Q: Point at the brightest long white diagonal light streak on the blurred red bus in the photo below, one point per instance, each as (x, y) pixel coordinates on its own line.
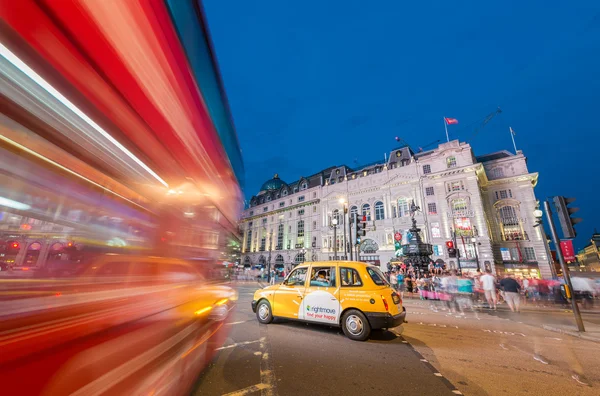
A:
(18, 63)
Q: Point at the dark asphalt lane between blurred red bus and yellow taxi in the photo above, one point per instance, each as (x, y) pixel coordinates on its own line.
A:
(293, 358)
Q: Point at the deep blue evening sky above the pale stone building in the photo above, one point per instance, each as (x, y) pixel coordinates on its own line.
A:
(319, 83)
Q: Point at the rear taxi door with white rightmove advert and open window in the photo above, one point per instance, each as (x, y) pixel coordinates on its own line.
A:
(321, 301)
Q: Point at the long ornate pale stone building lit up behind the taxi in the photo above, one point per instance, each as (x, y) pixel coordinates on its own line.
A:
(484, 204)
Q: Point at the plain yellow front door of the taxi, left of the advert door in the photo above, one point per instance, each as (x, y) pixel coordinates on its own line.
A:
(287, 300)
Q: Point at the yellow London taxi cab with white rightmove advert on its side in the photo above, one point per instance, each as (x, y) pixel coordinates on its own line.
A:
(353, 295)
